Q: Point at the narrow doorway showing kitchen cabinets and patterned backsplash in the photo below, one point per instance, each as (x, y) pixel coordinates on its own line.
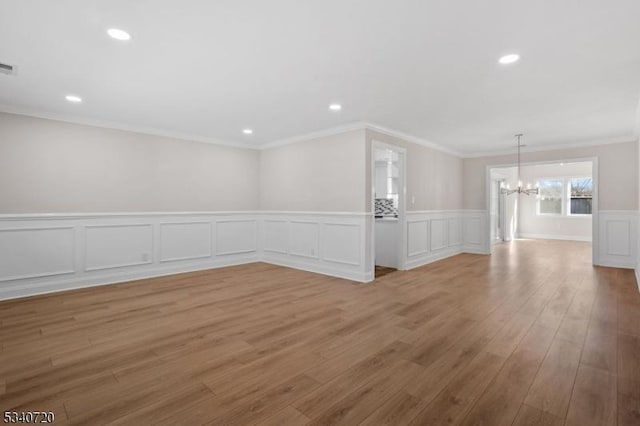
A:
(388, 207)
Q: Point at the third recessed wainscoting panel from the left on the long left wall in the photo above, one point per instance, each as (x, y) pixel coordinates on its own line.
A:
(185, 241)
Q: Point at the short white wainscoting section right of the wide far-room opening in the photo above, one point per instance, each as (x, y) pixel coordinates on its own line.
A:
(617, 239)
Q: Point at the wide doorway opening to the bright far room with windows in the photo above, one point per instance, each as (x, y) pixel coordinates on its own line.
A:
(565, 207)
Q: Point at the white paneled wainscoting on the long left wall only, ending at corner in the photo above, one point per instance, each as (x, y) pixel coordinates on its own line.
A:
(47, 253)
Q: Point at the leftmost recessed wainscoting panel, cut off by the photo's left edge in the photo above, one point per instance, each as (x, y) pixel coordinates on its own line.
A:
(36, 252)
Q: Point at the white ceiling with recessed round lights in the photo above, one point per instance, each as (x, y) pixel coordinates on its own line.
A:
(427, 68)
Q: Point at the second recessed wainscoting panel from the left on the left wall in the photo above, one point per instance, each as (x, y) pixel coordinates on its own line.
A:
(116, 246)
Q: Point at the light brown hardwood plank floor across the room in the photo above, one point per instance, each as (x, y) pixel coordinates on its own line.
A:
(530, 335)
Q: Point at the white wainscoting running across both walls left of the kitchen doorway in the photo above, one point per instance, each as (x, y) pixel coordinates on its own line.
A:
(53, 252)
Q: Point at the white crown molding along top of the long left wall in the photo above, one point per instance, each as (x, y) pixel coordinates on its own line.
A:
(68, 118)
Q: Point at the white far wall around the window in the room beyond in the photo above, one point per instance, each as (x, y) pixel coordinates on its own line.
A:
(563, 227)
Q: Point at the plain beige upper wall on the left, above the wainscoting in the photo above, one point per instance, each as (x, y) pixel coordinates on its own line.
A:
(50, 166)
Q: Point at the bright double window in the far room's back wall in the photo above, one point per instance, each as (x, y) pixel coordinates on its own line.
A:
(570, 196)
